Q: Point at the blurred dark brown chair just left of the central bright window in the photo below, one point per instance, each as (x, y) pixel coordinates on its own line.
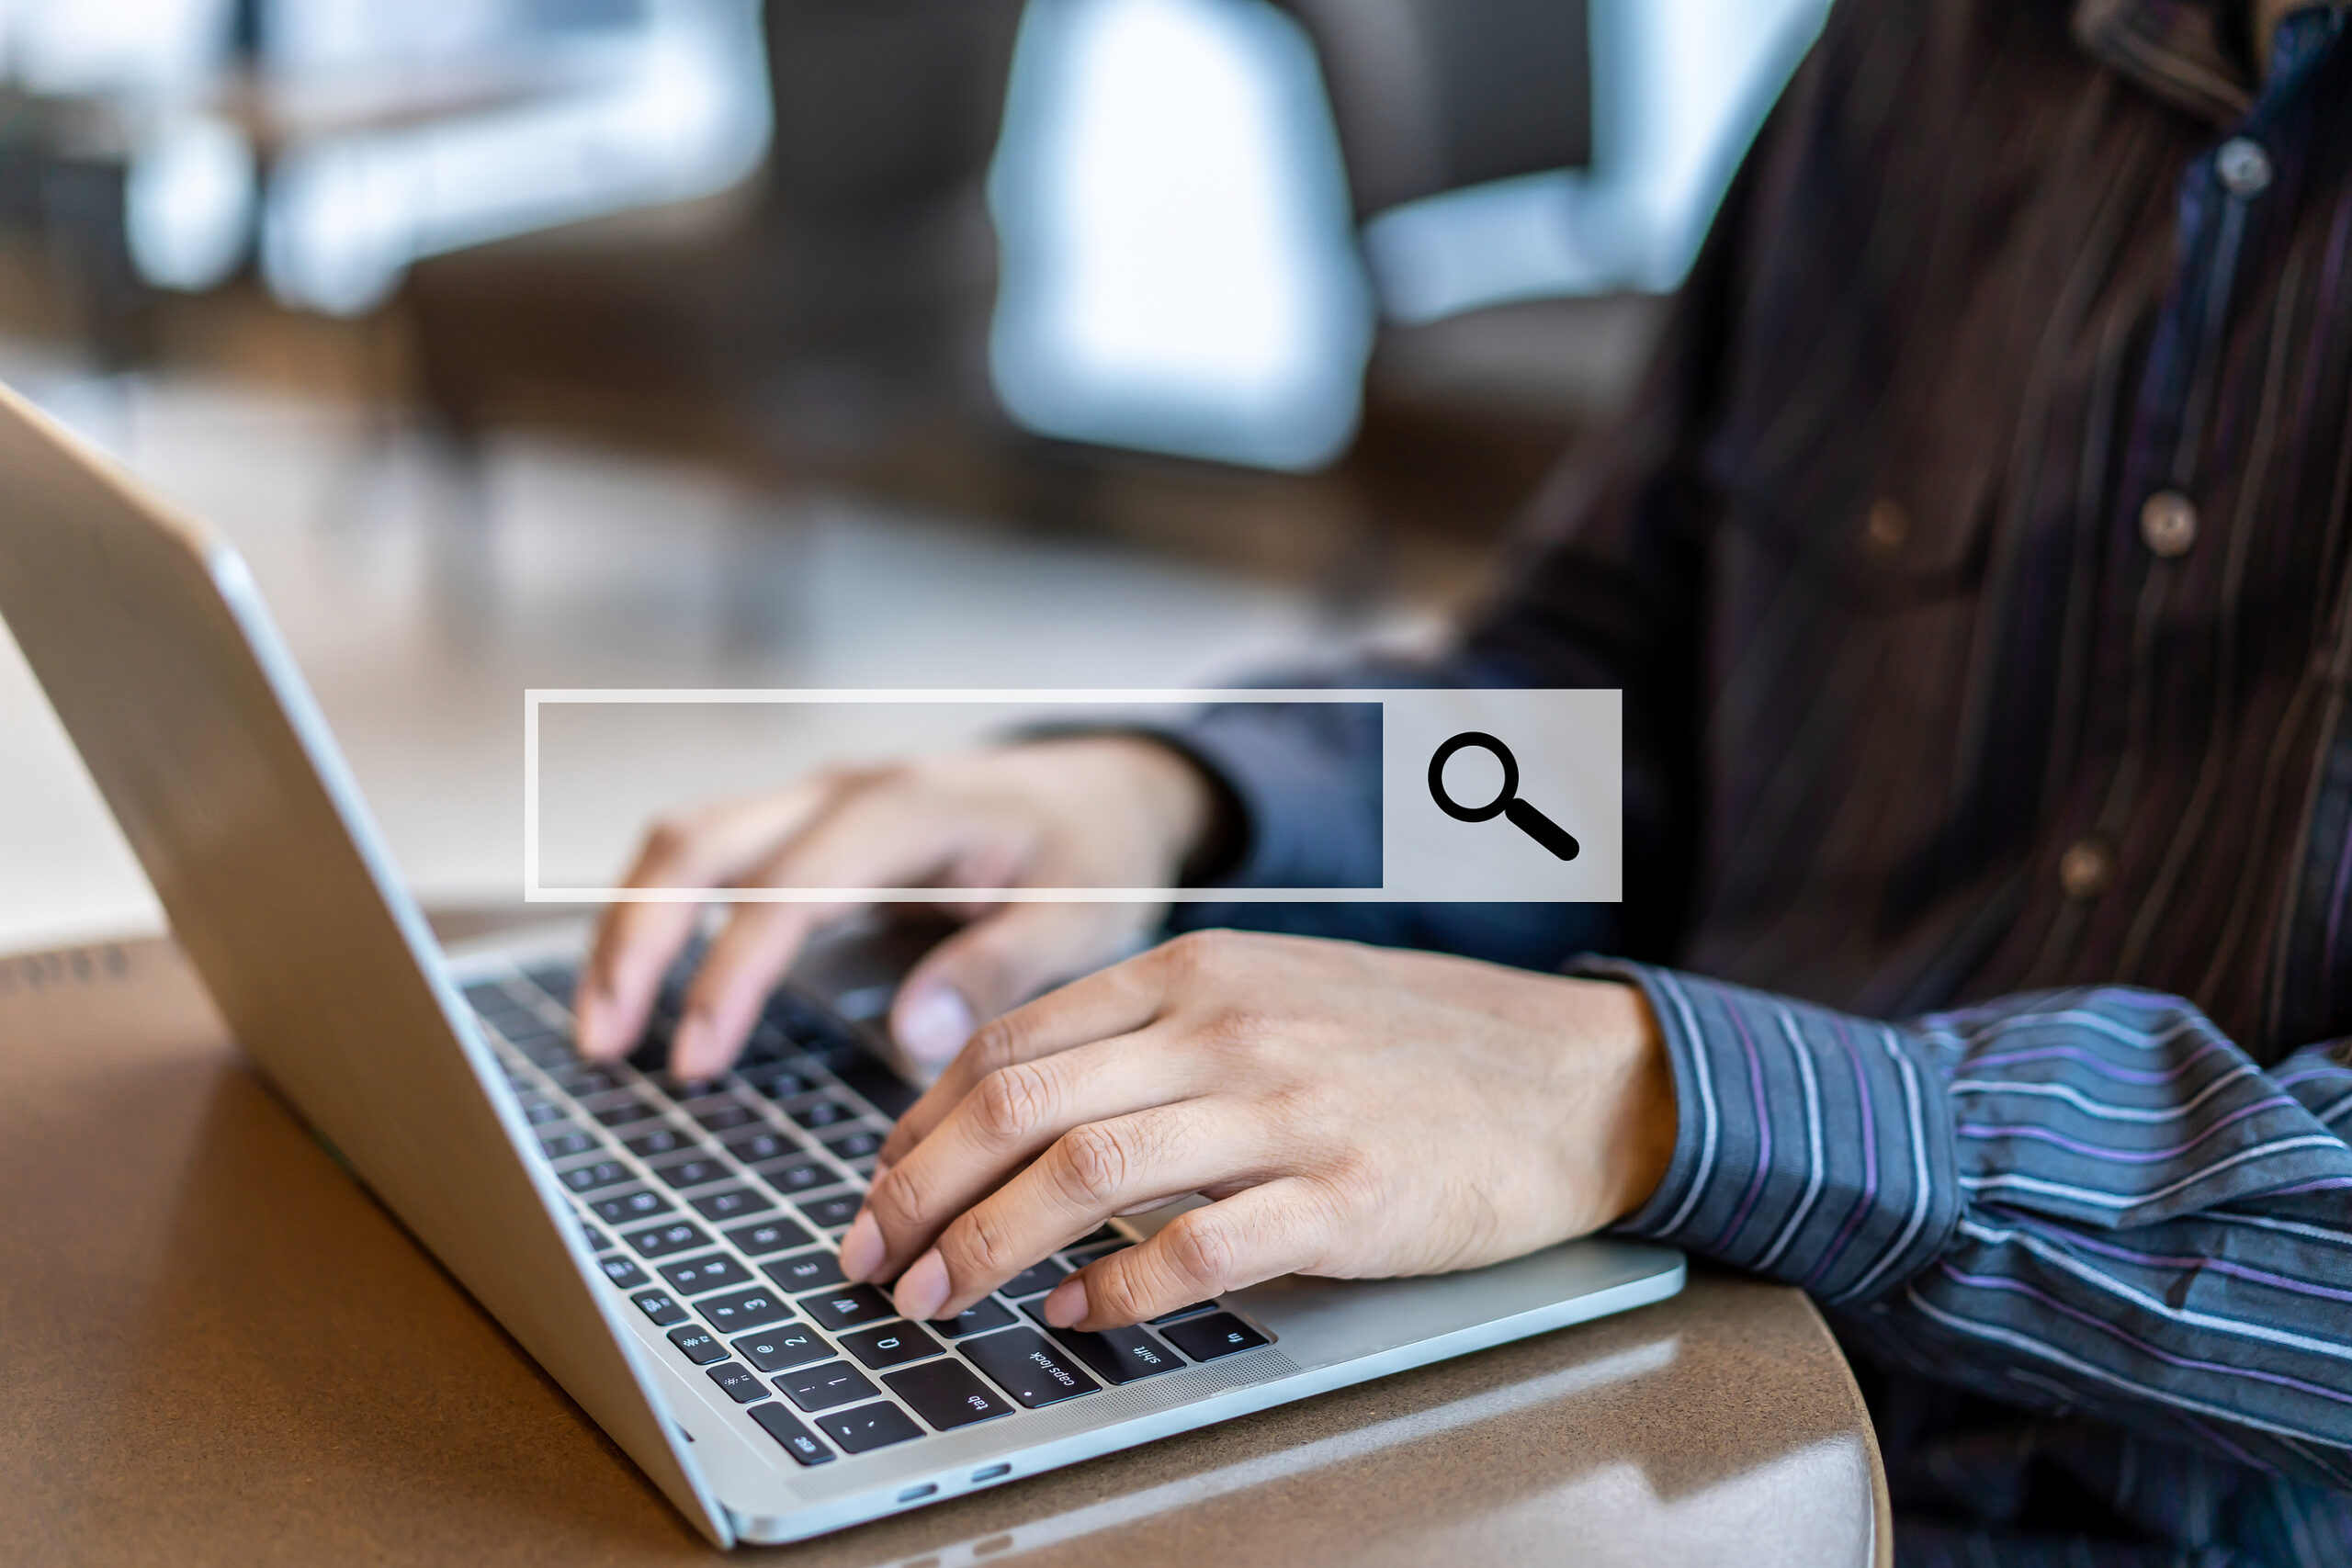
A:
(808, 316)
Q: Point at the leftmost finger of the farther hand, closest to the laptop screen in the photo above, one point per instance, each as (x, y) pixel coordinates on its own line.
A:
(639, 942)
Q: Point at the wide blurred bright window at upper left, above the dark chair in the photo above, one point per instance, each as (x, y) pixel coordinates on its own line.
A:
(584, 109)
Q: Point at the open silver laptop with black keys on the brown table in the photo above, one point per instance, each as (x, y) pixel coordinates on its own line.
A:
(664, 1252)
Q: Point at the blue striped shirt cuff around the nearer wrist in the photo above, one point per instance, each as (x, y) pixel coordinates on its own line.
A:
(1812, 1148)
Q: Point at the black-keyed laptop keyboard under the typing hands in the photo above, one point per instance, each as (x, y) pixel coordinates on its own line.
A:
(716, 1212)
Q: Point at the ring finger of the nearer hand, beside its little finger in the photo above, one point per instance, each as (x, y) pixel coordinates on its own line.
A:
(1090, 1174)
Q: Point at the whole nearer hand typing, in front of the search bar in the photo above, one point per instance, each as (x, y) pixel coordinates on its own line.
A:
(1351, 1111)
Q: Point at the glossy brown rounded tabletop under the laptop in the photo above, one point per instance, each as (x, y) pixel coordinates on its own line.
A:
(215, 1348)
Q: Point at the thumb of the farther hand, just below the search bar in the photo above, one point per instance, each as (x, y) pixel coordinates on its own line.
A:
(1001, 963)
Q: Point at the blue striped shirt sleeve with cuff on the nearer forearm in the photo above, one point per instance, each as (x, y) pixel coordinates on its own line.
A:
(2083, 1200)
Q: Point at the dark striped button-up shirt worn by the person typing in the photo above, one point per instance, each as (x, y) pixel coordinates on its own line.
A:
(1977, 568)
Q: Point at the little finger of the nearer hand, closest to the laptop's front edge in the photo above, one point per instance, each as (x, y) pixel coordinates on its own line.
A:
(1259, 1233)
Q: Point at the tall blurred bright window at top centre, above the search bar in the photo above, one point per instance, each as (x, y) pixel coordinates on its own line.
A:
(1180, 267)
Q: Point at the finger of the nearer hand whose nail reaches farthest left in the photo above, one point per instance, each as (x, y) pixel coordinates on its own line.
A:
(1003, 1125)
